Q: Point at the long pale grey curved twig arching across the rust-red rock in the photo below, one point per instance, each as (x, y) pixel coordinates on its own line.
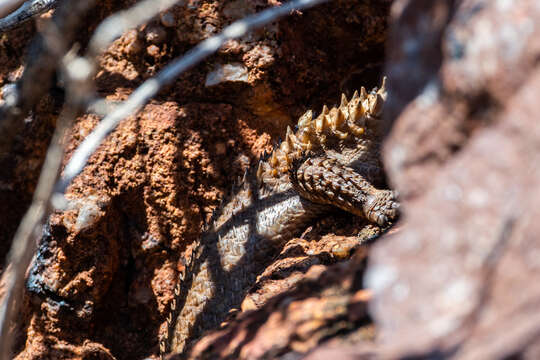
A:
(150, 87)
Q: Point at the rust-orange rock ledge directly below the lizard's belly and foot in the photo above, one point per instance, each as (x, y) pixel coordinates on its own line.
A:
(308, 303)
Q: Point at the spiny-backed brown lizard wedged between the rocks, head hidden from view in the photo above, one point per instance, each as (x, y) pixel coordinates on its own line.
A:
(332, 160)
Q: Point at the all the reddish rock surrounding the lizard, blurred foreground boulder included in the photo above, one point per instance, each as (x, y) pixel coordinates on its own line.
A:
(457, 277)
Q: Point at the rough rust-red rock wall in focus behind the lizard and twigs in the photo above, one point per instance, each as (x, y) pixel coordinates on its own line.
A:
(104, 276)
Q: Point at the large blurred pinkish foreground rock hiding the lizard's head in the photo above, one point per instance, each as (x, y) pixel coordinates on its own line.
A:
(460, 278)
